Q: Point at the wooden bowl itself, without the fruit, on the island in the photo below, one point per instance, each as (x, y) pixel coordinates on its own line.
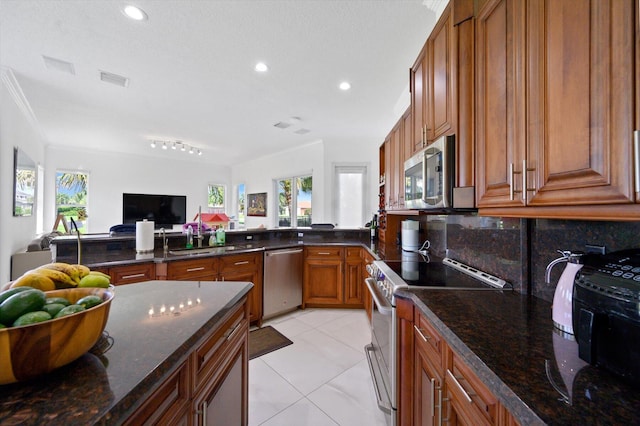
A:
(32, 350)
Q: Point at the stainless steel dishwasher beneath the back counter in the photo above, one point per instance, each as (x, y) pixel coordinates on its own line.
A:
(282, 281)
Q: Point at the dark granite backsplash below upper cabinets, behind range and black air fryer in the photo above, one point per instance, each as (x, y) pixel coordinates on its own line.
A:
(519, 250)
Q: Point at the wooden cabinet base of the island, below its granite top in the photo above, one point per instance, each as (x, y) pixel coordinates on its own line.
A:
(211, 386)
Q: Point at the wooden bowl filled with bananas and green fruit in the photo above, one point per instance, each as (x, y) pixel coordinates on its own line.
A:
(41, 329)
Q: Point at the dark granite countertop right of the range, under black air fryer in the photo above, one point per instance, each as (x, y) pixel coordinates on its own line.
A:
(509, 341)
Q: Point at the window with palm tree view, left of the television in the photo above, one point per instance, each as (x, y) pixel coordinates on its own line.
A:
(72, 191)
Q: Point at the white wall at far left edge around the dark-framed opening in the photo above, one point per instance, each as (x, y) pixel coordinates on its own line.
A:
(18, 127)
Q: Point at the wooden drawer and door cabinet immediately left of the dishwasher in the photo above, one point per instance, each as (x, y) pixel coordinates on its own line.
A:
(246, 267)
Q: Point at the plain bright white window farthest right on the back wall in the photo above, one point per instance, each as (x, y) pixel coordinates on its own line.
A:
(349, 200)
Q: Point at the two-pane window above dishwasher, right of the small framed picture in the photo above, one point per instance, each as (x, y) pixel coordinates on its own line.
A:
(294, 201)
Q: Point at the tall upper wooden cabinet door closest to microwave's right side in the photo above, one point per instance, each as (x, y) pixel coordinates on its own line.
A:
(500, 101)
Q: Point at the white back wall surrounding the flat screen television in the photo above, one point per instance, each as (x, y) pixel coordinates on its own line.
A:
(111, 174)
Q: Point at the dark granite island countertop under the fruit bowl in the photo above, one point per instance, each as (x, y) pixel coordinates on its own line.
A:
(106, 388)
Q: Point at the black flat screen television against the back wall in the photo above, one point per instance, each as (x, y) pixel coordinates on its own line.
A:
(164, 210)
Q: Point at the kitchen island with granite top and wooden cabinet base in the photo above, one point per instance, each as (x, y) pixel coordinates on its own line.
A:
(168, 347)
